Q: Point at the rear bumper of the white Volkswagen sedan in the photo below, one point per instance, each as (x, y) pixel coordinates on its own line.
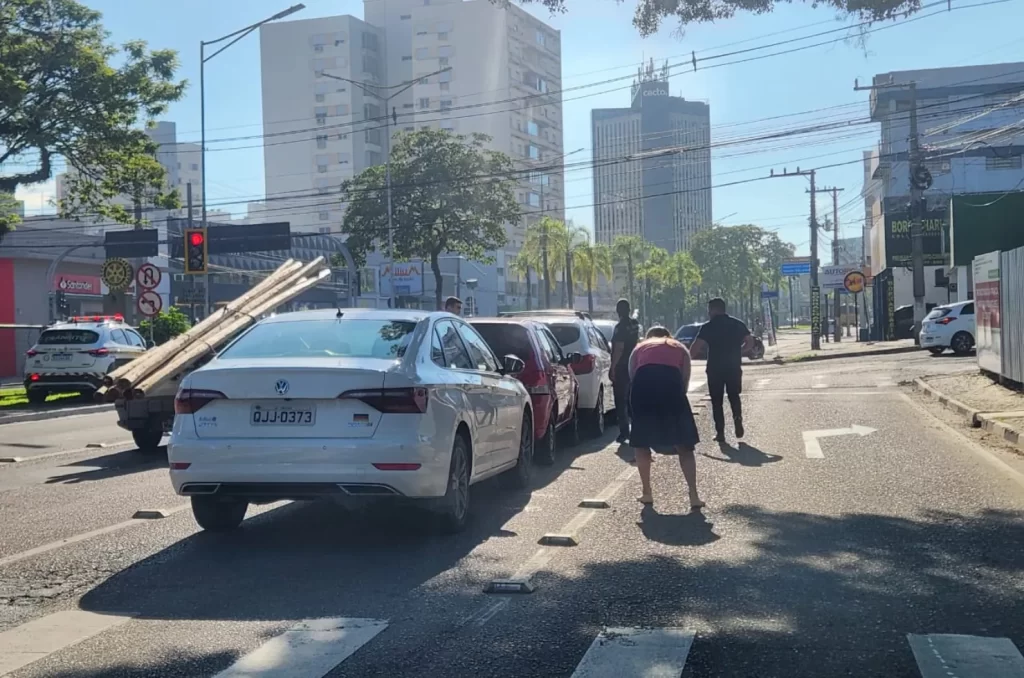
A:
(270, 471)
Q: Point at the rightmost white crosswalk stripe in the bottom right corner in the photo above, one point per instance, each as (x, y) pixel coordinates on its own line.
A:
(949, 656)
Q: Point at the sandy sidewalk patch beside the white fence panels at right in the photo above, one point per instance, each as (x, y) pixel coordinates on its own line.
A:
(984, 403)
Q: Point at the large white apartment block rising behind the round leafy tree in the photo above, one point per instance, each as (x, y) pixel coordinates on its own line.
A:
(504, 81)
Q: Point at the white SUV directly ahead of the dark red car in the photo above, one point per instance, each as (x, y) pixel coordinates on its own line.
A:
(577, 333)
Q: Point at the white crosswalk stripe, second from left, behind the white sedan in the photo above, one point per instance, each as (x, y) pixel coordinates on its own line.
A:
(310, 650)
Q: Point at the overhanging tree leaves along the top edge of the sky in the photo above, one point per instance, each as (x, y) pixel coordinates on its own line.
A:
(650, 14)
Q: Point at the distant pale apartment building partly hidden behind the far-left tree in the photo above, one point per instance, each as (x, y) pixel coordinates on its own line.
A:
(182, 162)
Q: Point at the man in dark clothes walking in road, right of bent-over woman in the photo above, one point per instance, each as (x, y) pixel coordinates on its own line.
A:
(723, 341)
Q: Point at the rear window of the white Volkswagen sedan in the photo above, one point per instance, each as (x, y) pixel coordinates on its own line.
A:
(325, 338)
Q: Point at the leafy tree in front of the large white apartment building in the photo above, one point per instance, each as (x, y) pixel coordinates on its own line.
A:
(440, 202)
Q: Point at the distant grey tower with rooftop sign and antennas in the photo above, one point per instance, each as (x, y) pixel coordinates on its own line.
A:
(666, 197)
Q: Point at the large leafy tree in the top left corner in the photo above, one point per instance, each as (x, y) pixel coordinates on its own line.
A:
(65, 92)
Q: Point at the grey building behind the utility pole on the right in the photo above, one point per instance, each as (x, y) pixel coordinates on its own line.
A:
(972, 143)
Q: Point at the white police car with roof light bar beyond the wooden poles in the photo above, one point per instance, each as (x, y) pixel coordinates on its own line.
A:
(72, 357)
